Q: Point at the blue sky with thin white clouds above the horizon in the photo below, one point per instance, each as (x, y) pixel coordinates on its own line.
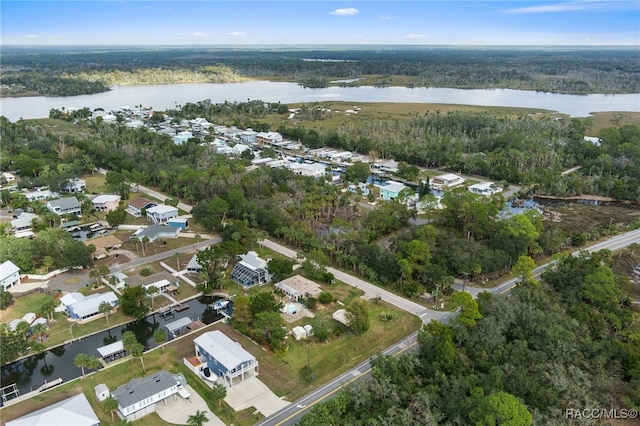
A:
(224, 23)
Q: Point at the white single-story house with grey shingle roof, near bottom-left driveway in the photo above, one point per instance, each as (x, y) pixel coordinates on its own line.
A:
(140, 396)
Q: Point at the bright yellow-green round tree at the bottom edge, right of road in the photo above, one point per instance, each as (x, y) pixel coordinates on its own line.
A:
(500, 408)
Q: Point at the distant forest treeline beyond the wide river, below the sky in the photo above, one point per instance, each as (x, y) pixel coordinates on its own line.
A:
(559, 70)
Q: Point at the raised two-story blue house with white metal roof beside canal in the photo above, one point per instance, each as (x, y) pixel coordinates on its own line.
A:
(224, 357)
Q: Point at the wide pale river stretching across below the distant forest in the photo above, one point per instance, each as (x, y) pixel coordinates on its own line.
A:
(163, 97)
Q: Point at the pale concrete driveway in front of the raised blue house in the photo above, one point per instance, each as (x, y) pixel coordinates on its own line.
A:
(252, 392)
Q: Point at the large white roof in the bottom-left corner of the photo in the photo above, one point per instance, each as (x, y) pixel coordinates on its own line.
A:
(74, 411)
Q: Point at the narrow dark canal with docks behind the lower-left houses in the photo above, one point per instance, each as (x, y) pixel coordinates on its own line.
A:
(32, 372)
